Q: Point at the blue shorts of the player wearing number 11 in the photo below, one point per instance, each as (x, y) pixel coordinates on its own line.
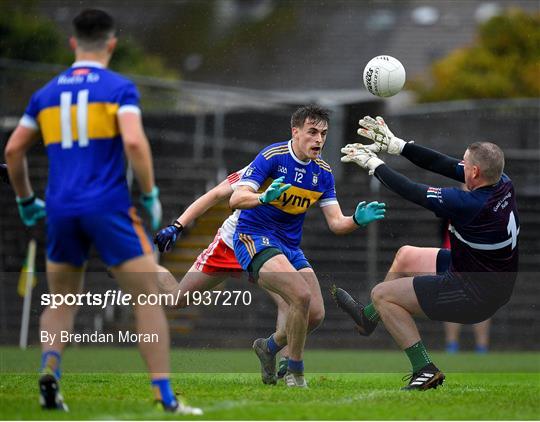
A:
(118, 236)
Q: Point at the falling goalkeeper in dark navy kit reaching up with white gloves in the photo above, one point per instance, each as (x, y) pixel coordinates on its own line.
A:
(466, 284)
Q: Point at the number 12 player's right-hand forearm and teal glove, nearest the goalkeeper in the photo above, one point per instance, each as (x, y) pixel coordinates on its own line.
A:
(363, 215)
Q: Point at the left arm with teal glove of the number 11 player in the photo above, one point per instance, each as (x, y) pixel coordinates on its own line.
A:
(31, 208)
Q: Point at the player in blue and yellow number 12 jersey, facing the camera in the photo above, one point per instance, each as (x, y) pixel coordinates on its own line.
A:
(275, 192)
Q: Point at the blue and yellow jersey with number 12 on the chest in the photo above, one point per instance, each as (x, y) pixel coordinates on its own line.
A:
(312, 181)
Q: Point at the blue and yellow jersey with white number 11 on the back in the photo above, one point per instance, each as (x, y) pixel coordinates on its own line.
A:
(77, 114)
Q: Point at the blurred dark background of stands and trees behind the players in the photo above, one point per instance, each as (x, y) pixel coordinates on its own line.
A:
(219, 80)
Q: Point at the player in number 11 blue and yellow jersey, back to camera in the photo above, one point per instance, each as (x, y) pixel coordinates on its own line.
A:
(88, 118)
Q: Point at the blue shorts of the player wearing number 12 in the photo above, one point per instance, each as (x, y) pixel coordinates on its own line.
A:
(246, 246)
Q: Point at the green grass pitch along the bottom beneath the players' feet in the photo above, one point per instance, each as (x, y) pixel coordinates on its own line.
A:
(496, 386)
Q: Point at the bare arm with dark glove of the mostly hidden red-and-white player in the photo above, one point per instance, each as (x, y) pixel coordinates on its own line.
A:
(166, 238)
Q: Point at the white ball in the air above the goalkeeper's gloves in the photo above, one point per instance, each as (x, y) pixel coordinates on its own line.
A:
(384, 76)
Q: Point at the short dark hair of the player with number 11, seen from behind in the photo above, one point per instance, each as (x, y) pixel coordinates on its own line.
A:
(93, 27)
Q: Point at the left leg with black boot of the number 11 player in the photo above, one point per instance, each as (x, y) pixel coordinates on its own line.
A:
(62, 279)
